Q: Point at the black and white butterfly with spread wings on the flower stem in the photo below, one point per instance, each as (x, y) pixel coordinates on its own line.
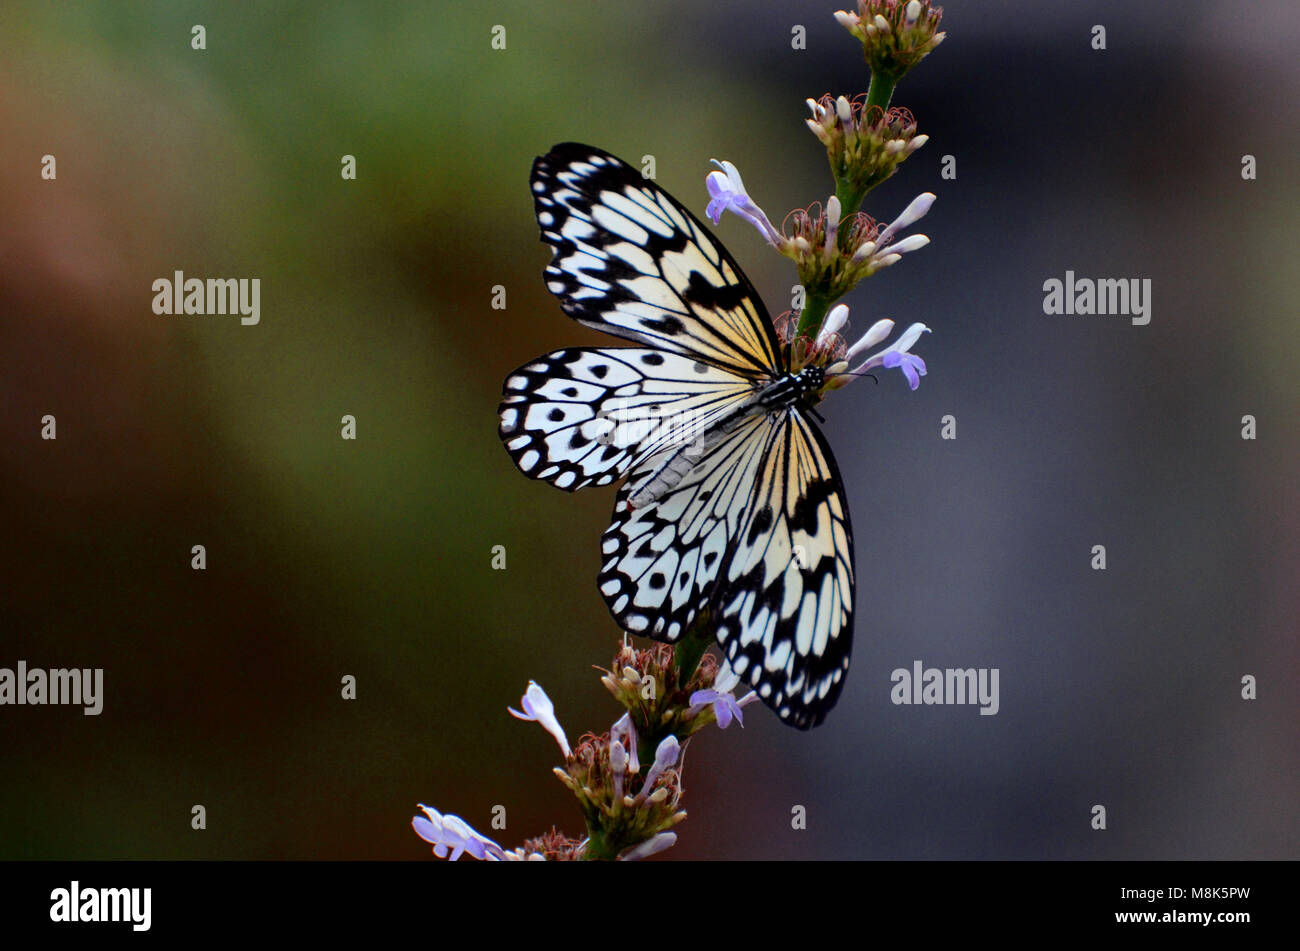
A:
(733, 503)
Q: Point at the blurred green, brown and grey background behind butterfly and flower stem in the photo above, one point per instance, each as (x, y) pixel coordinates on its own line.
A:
(372, 558)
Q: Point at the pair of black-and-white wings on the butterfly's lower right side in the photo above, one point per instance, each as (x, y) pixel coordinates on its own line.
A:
(759, 535)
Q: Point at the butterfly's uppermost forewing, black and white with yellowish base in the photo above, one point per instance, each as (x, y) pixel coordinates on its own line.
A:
(630, 260)
